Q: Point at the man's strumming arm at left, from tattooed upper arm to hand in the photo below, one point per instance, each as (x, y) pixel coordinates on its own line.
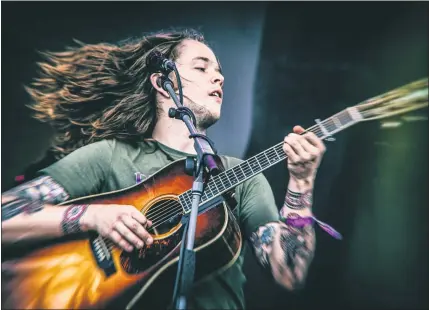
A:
(29, 211)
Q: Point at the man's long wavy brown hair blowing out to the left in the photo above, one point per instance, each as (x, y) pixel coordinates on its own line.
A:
(96, 91)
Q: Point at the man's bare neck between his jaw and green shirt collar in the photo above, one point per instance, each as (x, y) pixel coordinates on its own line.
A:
(174, 133)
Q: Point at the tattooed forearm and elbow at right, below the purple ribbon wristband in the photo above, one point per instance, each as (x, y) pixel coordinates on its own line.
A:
(285, 251)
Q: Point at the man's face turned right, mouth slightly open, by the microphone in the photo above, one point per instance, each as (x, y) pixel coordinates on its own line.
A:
(202, 82)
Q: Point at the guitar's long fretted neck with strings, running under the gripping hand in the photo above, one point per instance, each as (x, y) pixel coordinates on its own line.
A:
(232, 177)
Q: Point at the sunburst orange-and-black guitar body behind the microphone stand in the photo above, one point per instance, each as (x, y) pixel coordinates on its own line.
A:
(88, 271)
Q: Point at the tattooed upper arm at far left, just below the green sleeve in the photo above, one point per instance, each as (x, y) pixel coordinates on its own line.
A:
(30, 197)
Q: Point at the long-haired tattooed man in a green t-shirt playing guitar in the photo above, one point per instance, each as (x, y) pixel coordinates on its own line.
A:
(111, 122)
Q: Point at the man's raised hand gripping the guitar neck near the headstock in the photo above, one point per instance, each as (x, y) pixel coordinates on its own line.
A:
(304, 153)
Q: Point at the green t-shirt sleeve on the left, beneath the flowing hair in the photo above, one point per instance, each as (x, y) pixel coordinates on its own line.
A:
(82, 172)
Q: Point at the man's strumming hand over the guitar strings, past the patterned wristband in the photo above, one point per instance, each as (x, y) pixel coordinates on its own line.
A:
(123, 224)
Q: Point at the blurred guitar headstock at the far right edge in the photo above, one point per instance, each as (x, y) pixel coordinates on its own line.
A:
(404, 99)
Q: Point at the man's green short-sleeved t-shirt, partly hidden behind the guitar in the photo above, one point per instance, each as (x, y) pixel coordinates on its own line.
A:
(111, 165)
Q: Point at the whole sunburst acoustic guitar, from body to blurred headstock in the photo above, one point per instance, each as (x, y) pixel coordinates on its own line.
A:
(87, 271)
